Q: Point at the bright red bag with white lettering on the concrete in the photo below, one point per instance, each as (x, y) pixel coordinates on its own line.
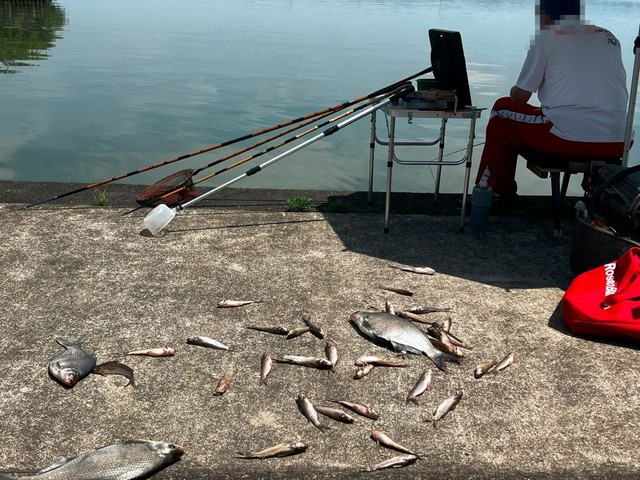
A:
(605, 301)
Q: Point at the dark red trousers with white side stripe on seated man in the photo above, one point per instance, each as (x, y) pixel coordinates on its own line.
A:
(513, 127)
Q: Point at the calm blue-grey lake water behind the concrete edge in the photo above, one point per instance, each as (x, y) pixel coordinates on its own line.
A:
(92, 89)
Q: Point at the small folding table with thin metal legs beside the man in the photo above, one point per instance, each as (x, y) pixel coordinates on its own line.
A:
(396, 111)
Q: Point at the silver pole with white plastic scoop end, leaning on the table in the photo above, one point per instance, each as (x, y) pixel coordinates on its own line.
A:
(160, 216)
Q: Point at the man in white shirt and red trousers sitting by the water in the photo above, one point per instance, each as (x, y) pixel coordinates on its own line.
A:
(577, 71)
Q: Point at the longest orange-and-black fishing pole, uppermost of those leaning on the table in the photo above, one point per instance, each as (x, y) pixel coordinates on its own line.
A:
(334, 108)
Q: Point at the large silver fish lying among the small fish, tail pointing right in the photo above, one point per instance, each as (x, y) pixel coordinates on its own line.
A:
(400, 334)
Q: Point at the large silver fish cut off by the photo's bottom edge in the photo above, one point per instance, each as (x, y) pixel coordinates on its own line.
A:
(120, 461)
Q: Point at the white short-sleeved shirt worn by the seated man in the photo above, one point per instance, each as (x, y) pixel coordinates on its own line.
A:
(578, 73)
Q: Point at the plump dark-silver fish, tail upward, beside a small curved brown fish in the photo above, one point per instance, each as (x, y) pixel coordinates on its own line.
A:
(73, 364)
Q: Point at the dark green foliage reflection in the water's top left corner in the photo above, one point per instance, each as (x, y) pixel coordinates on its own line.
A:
(28, 28)
